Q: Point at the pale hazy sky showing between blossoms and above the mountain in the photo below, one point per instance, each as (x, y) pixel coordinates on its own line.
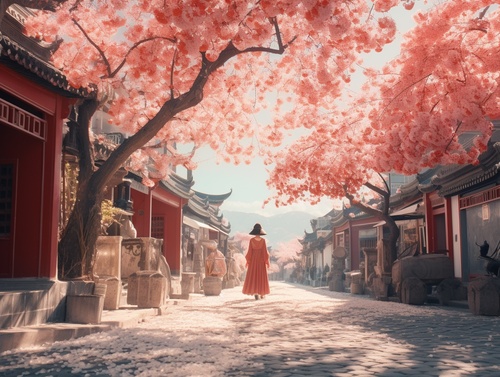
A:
(248, 181)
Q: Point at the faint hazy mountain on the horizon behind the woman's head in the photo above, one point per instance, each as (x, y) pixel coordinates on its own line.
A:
(279, 228)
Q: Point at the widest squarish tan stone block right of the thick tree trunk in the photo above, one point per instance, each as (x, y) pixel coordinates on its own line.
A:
(147, 289)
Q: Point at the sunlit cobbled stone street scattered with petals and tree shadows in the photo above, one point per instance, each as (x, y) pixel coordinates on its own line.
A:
(295, 331)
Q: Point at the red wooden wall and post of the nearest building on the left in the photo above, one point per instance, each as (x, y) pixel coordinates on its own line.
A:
(32, 250)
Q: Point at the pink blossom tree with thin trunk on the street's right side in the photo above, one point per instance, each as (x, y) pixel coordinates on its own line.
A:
(410, 115)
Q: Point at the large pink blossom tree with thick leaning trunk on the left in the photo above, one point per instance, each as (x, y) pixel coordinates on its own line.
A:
(198, 71)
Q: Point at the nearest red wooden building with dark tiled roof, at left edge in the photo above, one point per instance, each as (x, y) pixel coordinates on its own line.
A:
(34, 102)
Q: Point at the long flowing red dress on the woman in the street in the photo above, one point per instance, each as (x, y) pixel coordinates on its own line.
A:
(256, 280)
